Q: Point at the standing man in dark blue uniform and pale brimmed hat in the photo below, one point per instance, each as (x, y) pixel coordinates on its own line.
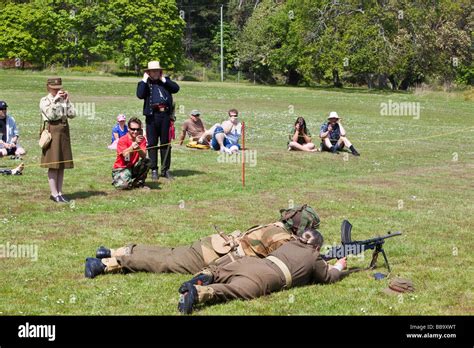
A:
(156, 90)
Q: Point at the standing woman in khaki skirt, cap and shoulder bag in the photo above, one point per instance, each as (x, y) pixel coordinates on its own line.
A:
(56, 109)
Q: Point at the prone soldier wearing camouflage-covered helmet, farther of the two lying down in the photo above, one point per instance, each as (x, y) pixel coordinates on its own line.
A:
(217, 249)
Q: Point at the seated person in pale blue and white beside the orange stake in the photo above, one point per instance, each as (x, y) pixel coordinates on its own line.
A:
(226, 136)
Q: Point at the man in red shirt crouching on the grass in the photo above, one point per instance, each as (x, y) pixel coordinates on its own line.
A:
(131, 166)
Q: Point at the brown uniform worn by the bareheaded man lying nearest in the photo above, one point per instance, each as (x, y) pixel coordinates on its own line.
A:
(250, 277)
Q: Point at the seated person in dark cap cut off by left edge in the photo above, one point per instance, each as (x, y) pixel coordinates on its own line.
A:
(9, 134)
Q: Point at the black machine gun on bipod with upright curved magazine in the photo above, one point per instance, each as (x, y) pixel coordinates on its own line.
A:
(348, 246)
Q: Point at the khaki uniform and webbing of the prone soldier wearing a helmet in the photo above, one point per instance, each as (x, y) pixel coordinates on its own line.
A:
(216, 249)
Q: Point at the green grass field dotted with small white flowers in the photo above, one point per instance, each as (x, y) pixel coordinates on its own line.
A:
(414, 175)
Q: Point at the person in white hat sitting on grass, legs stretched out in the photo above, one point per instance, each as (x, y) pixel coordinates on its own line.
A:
(333, 135)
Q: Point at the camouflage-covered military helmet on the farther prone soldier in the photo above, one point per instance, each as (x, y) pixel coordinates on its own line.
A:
(299, 219)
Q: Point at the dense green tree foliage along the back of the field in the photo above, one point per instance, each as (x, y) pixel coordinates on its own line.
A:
(379, 43)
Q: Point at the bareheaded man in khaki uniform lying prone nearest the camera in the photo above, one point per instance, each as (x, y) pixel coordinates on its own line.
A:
(296, 263)
